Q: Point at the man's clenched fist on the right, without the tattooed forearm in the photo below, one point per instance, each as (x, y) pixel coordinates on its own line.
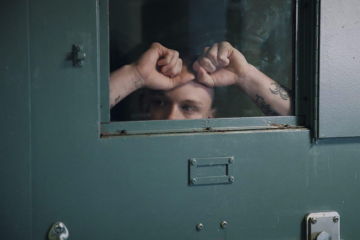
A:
(221, 65)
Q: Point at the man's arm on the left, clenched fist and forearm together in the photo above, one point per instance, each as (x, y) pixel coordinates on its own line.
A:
(159, 68)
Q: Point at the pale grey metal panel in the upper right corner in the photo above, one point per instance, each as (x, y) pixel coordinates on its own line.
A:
(339, 68)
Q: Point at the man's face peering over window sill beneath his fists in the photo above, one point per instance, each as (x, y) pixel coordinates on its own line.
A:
(189, 101)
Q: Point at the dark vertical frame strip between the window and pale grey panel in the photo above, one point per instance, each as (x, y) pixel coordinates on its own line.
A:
(307, 76)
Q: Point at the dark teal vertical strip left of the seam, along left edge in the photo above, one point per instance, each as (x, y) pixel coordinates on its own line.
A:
(15, 174)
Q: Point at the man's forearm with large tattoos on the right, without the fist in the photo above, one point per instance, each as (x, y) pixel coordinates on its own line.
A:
(268, 95)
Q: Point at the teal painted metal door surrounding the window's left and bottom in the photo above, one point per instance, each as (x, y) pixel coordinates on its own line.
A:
(58, 167)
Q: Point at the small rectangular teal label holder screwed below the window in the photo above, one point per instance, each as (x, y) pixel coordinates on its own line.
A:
(211, 170)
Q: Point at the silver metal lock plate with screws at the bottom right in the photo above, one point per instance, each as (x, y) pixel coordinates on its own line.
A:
(323, 226)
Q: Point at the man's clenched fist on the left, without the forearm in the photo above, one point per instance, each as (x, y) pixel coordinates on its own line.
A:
(159, 68)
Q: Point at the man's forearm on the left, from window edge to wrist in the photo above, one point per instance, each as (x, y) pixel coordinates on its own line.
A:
(123, 82)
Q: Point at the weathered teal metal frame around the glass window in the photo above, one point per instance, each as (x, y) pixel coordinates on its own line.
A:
(305, 113)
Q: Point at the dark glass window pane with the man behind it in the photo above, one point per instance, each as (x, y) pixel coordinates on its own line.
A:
(200, 59)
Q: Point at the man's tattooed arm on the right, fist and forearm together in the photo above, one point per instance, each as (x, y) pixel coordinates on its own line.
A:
(223, 65)
